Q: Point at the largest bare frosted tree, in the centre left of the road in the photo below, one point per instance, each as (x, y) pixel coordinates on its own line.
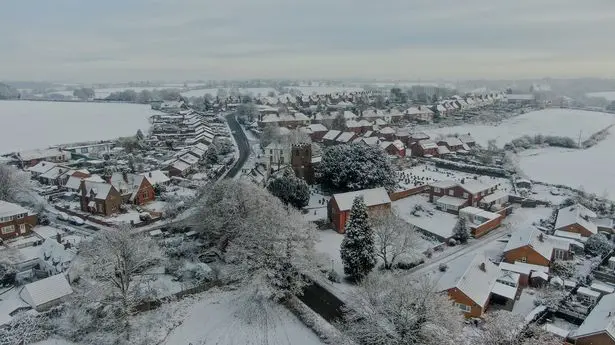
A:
(268, 246)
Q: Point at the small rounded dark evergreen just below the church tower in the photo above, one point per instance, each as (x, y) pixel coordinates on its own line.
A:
(290, 189)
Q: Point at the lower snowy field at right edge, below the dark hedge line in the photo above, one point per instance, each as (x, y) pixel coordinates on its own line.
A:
(593, 168)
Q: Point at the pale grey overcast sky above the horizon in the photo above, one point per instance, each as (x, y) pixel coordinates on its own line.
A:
(124, 40)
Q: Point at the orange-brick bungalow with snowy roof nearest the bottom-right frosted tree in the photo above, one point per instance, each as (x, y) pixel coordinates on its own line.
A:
(468, 281)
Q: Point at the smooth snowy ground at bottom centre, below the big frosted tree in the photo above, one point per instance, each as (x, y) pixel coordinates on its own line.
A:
(219, 317)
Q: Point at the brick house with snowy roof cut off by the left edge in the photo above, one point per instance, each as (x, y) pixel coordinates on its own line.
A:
(15, 220)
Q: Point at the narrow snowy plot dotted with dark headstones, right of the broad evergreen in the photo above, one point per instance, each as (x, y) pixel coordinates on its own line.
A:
(427, 173)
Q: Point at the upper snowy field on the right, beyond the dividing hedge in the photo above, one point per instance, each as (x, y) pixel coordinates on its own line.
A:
(560, 122)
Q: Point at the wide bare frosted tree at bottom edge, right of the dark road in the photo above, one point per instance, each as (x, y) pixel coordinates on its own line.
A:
(392, 309)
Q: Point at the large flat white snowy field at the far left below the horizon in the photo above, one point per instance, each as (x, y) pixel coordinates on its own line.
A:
(42, 124)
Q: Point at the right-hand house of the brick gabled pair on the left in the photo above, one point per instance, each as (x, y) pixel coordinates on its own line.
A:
(135, 189)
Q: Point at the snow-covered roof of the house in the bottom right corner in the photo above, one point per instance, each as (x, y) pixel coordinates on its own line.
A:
(601, 319)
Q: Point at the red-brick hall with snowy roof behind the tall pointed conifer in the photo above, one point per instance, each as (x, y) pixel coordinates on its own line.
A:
(376, 199)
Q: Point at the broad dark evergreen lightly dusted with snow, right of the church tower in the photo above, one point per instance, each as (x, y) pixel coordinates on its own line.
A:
(355, 167)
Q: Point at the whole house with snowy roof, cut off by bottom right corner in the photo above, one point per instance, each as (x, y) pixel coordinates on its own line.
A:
(597, 329)
